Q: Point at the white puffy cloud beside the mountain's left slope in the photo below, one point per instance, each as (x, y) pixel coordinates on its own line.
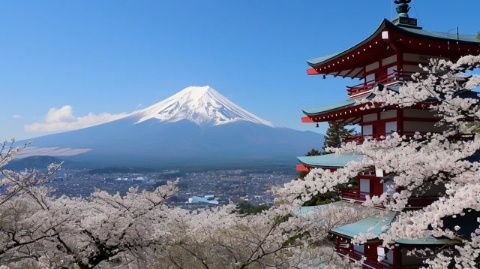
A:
(63, 119)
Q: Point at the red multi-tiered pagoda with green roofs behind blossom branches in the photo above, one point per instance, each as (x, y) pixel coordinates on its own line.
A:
(386, 59)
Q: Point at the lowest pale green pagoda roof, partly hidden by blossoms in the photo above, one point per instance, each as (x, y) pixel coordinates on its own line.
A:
(376, 225)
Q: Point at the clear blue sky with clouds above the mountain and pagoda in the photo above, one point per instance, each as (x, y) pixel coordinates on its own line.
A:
(70, 64)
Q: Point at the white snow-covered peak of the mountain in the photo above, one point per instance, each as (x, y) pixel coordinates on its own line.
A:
(202, 105)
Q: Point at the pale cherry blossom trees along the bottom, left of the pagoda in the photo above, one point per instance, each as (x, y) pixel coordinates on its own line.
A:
(138, 230)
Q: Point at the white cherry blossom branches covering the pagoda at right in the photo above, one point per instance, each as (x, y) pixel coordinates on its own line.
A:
(416, 163)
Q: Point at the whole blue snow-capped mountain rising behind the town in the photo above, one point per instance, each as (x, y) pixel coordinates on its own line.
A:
(194, 127)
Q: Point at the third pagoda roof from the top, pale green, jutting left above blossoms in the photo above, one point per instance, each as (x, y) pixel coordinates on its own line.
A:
(331, 160)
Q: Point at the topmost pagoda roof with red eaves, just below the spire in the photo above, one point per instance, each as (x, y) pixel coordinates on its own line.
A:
(349, 63)
